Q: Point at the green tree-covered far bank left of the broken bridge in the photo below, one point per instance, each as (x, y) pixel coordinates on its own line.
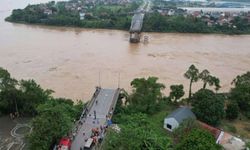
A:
(100, 16)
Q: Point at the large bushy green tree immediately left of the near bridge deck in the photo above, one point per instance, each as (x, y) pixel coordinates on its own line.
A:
(53, 121)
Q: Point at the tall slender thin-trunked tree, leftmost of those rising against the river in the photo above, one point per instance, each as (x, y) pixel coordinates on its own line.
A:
(192, 74)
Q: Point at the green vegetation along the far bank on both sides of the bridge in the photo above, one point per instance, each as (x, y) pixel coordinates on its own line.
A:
(118, 16)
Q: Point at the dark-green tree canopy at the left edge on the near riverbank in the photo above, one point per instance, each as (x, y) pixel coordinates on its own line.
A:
(20, 96)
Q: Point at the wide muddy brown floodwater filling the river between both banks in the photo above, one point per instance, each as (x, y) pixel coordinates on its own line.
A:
(70, 60)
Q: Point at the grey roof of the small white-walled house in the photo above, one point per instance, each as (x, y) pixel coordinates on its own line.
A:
(181, 114)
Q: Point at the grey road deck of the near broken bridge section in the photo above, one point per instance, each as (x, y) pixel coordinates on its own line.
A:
(106, 99)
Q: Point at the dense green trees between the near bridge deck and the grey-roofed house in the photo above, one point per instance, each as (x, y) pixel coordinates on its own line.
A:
(137, 130)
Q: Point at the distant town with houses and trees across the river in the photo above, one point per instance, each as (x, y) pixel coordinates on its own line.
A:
(175, 16)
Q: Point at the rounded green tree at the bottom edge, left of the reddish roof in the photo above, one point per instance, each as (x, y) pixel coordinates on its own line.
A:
(198, 139)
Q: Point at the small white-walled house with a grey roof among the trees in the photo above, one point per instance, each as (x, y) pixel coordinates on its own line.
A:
(173, 120)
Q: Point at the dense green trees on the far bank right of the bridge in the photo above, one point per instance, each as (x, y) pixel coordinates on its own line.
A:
(158, 23)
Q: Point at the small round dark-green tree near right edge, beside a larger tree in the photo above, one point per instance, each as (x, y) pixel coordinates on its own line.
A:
(232, 111)
